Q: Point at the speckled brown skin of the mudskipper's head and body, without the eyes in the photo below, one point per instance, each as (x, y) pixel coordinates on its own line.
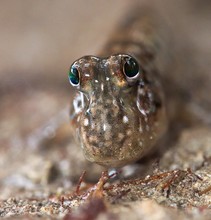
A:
(118, 120)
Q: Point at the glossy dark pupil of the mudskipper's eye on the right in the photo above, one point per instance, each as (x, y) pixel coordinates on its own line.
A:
(131, 67)
